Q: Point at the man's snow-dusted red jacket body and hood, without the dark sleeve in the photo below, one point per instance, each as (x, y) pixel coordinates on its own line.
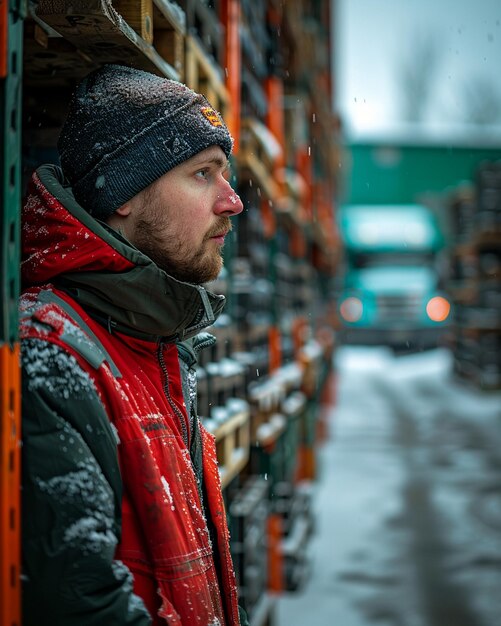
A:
(174, 535)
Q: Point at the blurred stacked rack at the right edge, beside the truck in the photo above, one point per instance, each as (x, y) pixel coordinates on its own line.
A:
(475, 283)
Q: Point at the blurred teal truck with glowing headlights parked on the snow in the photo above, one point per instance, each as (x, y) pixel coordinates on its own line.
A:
(390, 292)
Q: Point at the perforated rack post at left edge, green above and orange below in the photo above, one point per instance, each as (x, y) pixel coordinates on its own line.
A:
(11, 29)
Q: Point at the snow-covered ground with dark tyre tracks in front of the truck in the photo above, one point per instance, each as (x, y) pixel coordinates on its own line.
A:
(408, 500)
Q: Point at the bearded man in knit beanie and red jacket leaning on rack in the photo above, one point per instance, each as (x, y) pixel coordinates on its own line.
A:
(124, 521)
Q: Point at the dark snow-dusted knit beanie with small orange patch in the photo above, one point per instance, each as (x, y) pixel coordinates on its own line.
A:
(125, 128)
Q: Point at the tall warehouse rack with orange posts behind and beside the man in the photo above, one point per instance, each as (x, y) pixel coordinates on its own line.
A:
(260, 386)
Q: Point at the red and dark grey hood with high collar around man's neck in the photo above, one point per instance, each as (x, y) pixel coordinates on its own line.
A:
(106, 274)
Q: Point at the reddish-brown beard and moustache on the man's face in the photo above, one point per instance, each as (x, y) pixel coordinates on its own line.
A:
(173, 254)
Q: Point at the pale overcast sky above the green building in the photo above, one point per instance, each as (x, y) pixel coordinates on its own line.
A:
(446, 52)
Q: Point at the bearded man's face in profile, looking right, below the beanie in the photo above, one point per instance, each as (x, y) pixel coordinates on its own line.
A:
(180, 221)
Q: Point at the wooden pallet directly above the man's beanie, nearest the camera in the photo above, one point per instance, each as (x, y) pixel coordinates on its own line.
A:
(64, 41)
